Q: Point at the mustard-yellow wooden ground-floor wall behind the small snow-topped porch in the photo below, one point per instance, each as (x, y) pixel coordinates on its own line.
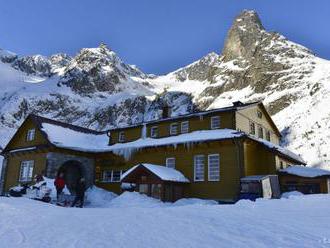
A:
(225, 189)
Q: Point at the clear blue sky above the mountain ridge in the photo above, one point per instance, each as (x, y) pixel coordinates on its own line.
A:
(157, 36)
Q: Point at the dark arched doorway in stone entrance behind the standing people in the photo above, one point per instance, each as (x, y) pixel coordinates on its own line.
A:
(72, 171)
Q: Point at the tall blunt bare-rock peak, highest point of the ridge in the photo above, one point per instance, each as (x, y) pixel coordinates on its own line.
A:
(244, 36)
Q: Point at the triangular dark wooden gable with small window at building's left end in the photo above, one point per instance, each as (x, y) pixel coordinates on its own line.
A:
(19, 140)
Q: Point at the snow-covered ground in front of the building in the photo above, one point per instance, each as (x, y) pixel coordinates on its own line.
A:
(133, 220)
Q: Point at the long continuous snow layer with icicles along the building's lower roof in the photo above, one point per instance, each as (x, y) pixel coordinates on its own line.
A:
(92, 141)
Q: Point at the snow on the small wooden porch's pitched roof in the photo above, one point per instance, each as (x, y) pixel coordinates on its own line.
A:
(164, 173)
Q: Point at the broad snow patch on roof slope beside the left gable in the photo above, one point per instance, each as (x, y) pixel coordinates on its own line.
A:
(72, 139)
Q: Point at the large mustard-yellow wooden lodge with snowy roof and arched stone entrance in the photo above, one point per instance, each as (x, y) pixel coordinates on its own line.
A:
(211, 149)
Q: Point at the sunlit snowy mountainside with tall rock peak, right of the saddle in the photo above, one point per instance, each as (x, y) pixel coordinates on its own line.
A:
(258, 65)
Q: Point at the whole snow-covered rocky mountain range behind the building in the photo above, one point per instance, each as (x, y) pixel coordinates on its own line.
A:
(97, 89)
